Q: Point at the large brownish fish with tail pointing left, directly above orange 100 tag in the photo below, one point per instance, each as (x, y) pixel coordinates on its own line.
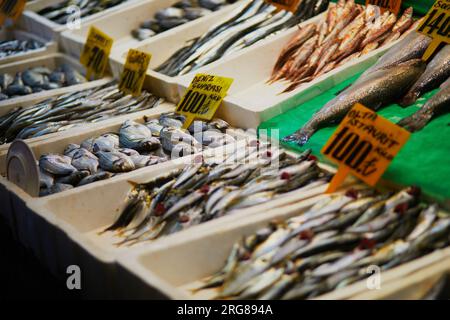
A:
(378, 90)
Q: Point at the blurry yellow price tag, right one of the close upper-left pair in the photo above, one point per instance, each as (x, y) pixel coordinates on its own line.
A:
(134, 71)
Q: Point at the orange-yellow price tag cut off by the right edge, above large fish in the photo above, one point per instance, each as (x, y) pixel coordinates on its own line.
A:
(436, 24)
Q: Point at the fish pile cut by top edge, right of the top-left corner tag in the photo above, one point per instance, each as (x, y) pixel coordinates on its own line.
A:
(65, 11)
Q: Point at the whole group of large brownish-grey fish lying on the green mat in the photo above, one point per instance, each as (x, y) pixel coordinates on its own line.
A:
(400, 75)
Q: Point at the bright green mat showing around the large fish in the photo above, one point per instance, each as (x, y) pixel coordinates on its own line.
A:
(423, 161)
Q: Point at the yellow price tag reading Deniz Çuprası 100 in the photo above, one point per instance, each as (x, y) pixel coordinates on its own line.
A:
(203, 97)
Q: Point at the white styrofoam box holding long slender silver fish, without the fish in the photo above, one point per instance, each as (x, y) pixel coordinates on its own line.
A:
(164, 45)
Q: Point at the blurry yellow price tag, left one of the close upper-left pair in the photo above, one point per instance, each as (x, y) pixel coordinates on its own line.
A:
(95, 55)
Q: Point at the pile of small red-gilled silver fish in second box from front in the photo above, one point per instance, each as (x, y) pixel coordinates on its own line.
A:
(209, 189)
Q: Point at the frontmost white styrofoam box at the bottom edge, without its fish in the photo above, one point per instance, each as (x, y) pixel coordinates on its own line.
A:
(178, 265)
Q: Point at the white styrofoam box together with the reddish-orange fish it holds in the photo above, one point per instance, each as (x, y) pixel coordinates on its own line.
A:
(264, 74)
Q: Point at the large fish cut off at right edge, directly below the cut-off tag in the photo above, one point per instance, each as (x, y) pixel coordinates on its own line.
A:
(437, 71)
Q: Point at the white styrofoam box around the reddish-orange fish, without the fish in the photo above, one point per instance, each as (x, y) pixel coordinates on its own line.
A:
(251, 100)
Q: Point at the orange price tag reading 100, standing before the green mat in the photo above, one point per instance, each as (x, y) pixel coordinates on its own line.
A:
(364, 145)
